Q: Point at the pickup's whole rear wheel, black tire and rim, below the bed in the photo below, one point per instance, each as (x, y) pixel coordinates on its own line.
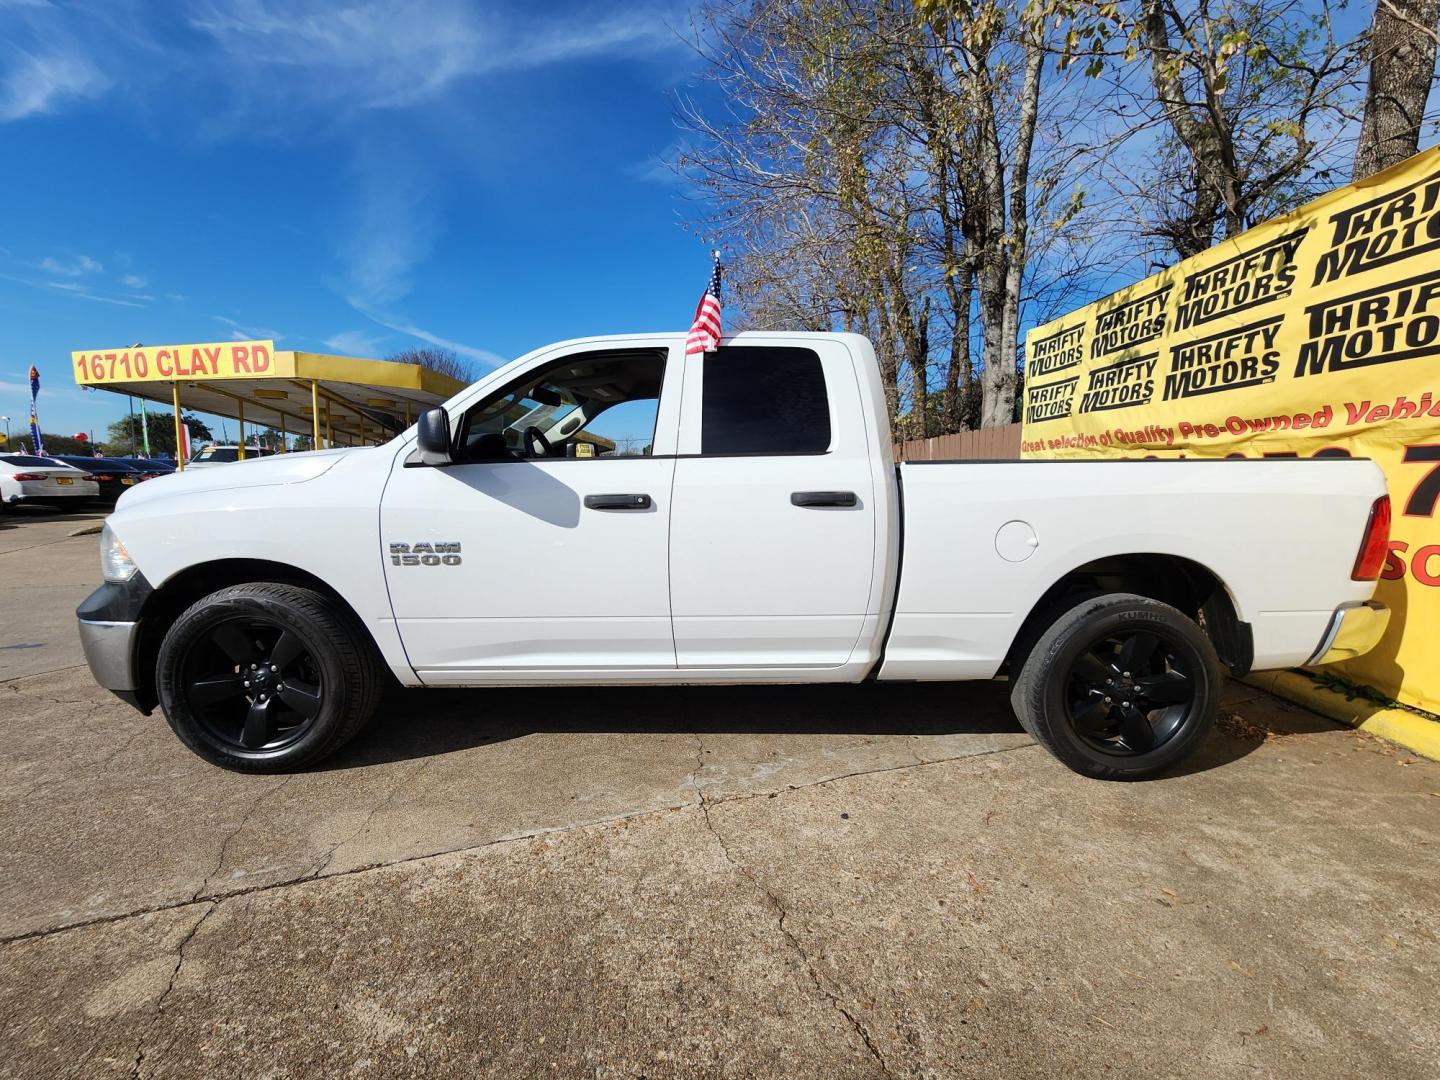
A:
(1094, 686)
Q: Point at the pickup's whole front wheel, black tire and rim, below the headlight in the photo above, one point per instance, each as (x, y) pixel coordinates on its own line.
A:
(267, 678)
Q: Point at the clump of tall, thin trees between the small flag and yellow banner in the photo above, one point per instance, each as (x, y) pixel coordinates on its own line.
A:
(873, 168)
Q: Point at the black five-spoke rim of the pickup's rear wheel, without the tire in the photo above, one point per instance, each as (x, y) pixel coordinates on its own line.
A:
(1130, 693)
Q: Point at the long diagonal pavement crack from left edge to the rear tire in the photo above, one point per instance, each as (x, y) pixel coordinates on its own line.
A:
(467, 849)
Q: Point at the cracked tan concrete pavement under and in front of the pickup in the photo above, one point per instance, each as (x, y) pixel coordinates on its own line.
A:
(689, 882)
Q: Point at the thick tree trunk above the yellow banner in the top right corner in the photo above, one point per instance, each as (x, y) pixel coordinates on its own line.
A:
(1402, 67)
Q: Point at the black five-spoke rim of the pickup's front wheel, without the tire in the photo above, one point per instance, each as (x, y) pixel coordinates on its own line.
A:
(254, 685)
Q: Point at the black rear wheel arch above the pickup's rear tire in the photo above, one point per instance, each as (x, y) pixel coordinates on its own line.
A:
(1184, 584)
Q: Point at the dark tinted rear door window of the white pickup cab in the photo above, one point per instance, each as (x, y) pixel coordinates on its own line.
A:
(761, 400)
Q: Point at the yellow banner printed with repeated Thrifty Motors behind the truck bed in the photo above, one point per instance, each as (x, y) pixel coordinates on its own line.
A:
(1314, 335)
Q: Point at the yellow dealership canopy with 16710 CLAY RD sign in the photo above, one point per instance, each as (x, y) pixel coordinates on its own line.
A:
(338, 401)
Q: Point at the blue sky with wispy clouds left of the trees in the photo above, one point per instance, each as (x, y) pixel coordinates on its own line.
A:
(352, 178)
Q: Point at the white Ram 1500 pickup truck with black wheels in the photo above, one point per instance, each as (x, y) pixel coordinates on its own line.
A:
(611, 510)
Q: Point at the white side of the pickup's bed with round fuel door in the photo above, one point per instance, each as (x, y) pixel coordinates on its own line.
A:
(984, 542)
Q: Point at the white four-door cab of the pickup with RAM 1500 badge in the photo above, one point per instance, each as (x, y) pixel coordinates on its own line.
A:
(742, 526)
